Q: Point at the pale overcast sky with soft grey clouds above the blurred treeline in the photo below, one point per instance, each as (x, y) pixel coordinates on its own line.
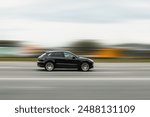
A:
(60, 22)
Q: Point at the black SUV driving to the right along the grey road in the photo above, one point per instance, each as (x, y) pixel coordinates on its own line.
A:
(64, 59)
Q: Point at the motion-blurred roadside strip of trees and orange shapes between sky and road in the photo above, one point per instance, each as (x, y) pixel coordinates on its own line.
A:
(11, 50)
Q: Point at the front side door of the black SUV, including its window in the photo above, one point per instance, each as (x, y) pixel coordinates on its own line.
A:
(70, 60)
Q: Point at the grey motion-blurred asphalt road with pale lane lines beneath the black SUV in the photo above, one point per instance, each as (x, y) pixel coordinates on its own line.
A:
(24, 80)
